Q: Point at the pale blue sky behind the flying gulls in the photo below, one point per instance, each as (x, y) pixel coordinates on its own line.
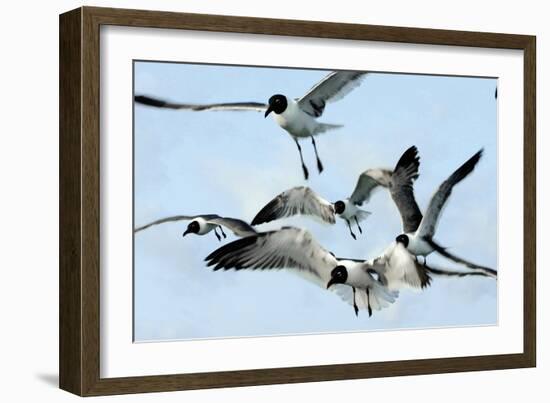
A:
(232, 163)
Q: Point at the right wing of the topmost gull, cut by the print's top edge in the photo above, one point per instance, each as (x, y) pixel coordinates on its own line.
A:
(333, 87)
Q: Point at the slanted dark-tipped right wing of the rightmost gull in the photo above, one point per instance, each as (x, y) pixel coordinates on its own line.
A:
(439, 199)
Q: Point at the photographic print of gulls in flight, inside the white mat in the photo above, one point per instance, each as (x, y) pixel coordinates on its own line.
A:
(282, 201)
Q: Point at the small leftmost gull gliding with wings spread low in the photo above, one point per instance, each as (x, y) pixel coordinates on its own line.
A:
(203, 224)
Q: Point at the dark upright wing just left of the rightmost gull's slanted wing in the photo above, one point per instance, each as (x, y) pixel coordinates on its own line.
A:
(402, 191)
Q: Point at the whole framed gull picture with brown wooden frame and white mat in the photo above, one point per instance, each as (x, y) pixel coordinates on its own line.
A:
(249, 201)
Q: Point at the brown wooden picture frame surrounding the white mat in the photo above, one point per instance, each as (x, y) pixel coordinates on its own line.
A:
(79, 201)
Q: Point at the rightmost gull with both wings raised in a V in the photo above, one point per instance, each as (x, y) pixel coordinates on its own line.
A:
(418, 230)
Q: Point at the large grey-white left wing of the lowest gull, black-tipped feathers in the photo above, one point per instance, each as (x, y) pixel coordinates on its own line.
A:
(287, 248)
